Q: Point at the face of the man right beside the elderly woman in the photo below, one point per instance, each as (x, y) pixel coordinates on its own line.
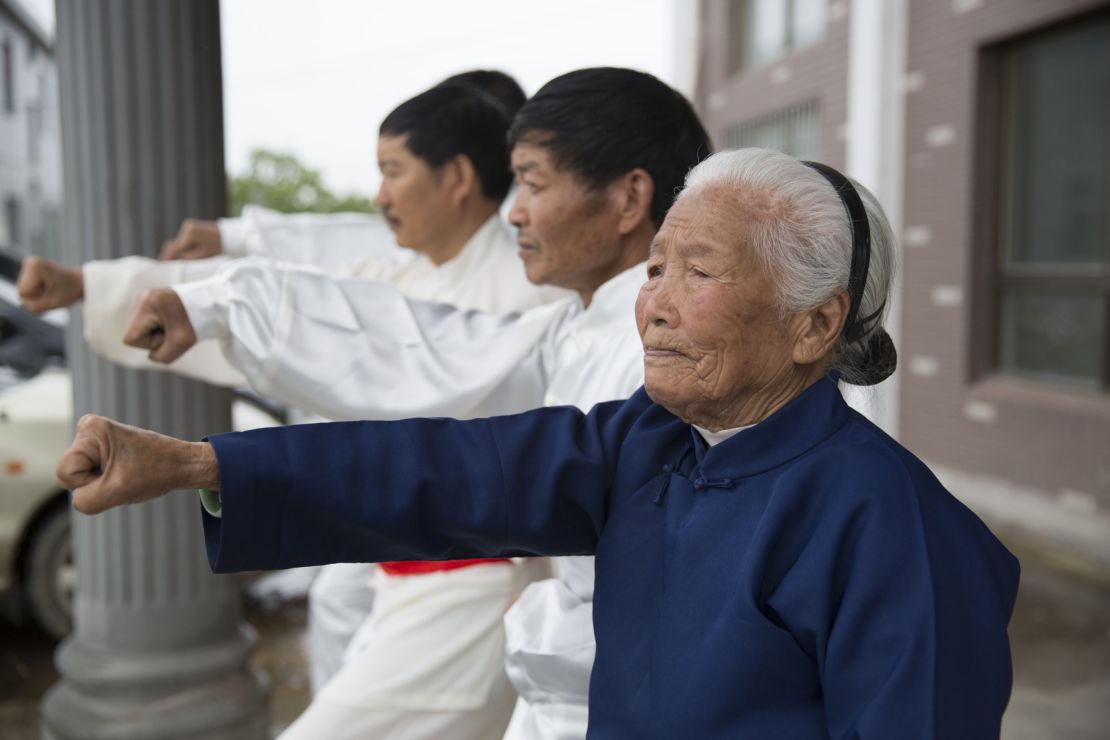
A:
(568, 234)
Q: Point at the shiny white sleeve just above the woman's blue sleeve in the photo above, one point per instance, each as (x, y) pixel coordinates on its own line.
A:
(354, 349)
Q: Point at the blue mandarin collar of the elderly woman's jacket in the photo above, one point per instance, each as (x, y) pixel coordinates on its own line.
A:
(791, 432)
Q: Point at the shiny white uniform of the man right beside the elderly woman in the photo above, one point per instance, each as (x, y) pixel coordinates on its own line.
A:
(410, 359)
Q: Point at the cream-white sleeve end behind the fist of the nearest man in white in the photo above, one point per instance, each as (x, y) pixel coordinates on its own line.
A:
(112, 289)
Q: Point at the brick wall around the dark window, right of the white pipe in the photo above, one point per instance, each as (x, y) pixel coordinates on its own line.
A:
(954, 410)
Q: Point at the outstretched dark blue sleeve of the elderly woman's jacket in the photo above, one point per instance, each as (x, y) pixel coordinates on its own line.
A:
(530, 484)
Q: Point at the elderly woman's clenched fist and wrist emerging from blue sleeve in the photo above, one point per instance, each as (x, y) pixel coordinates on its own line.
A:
(112, 464)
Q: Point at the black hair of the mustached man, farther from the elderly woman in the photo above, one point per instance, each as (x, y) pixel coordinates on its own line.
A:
(453, 119)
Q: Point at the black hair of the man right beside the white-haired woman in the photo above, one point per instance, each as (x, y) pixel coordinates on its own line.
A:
(603, 123)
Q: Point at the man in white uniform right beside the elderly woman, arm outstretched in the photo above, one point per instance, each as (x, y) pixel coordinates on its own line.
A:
(599, 156)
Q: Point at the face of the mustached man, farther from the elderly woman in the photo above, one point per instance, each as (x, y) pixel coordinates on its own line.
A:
(412, 197)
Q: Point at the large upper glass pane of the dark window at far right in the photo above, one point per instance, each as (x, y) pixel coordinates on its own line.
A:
(1059, 147)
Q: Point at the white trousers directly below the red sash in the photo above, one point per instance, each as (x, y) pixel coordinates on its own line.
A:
(428, 664)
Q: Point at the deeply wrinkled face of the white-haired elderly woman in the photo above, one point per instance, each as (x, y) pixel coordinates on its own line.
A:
(715, 343)
